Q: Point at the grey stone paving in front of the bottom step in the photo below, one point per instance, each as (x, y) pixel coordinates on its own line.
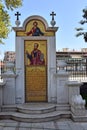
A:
(53, 125)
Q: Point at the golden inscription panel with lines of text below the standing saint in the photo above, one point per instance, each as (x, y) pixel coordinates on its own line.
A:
(36, 83)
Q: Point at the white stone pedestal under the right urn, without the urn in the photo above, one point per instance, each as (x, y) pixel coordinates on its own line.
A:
(62, 89)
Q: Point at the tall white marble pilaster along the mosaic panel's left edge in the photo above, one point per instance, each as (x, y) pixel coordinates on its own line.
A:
(20, 85)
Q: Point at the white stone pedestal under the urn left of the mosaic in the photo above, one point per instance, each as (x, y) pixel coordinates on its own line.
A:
(9, 89)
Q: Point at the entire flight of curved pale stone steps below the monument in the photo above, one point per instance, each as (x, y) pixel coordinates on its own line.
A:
(35, 112)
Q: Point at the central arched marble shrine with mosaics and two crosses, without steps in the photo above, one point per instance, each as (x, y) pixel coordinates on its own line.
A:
(35, 60)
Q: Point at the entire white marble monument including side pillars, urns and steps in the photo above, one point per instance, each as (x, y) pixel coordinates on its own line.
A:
(38, 77)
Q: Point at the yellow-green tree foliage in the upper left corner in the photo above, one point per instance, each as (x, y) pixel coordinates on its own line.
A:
(5, 25)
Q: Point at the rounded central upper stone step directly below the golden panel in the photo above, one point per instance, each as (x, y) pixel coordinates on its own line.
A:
(36, 108)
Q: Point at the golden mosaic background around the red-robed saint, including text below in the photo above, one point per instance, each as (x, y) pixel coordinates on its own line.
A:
(35, 75)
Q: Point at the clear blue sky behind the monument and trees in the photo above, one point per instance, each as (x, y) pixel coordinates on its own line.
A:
(68, 15)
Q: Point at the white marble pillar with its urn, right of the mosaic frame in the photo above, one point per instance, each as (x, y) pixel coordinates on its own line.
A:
(62, 77)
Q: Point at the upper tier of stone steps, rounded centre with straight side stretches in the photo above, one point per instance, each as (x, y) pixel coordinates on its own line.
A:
(35, 108)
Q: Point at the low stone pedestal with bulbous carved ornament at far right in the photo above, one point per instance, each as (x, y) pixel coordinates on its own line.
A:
(75, 99)
